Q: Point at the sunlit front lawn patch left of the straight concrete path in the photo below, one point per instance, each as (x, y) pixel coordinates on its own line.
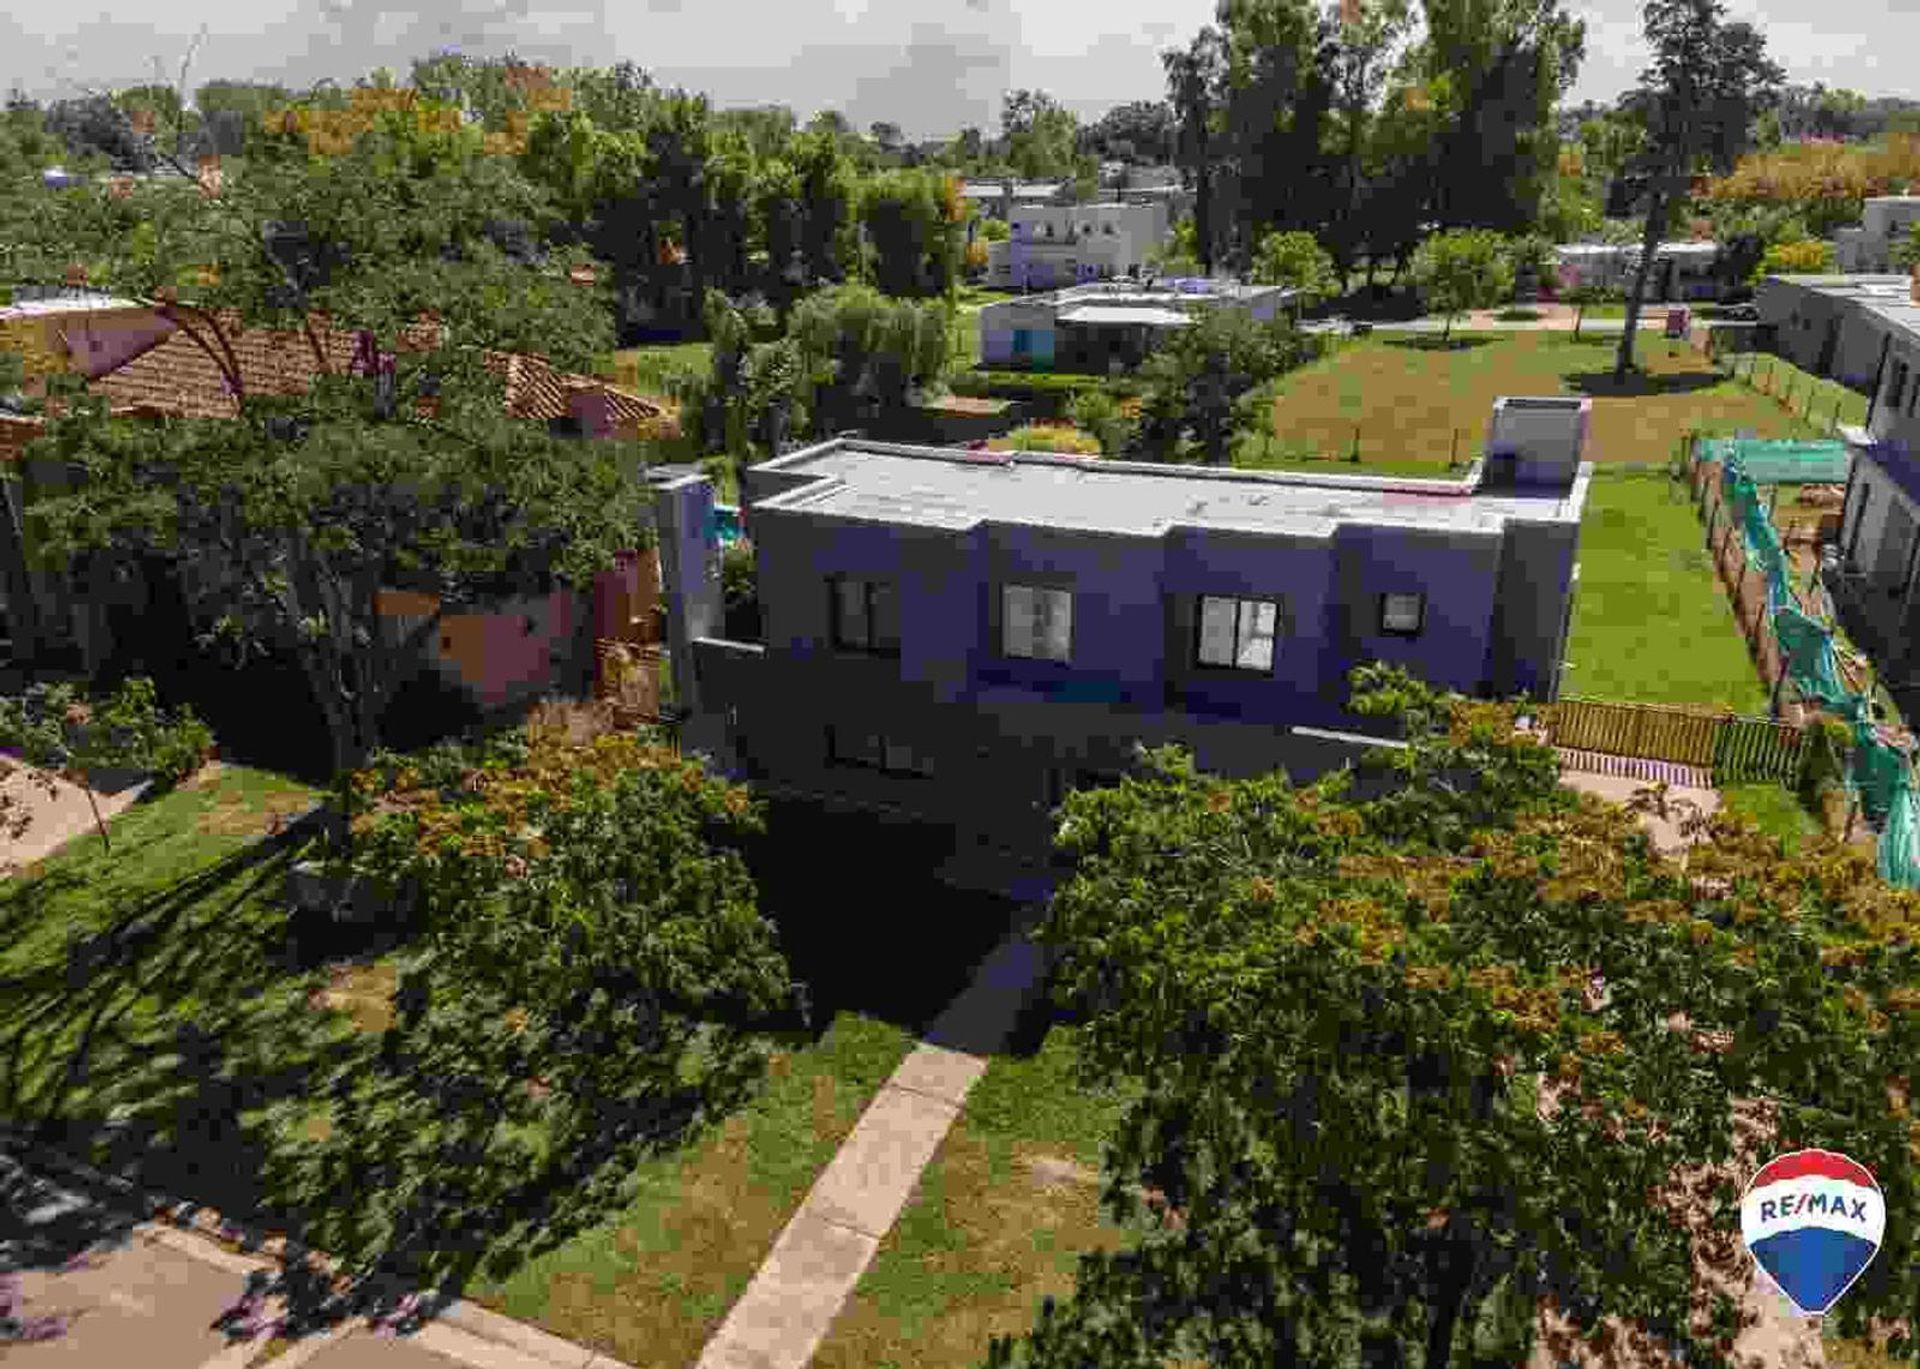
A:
(652, 1285)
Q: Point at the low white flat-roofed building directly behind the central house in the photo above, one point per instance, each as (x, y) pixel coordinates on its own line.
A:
(1107, 327)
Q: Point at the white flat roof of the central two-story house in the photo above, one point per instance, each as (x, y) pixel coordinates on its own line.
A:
(957, 491)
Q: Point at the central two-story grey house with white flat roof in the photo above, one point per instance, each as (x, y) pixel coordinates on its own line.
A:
(961, 636)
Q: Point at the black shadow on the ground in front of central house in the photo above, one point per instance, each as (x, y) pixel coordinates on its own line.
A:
(863, 919)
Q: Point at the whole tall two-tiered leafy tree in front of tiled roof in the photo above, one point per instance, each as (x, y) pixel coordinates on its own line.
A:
(400, 473)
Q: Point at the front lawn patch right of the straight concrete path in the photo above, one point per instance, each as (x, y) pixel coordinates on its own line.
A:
(999, 1220)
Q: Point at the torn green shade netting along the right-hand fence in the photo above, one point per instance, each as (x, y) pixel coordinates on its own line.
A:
(1881, 773)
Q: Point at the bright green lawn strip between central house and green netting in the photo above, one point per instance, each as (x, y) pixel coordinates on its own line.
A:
(1650, 619)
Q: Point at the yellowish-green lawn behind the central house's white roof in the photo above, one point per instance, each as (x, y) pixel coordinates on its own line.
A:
(1414, 402)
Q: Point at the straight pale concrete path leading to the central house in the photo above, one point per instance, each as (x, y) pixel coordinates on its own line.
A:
(817, 1262)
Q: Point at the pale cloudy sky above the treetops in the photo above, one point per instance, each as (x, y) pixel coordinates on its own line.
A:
(932, 66)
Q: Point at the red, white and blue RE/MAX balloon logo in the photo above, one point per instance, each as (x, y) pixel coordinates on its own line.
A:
(1813, 1222)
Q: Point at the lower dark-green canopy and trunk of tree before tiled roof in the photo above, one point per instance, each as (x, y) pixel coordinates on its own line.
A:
(289, 523)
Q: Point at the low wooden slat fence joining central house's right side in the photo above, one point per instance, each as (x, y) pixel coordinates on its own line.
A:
(1737, 750)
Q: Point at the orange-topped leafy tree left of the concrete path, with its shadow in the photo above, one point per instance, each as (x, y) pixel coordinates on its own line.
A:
(590, 986)
